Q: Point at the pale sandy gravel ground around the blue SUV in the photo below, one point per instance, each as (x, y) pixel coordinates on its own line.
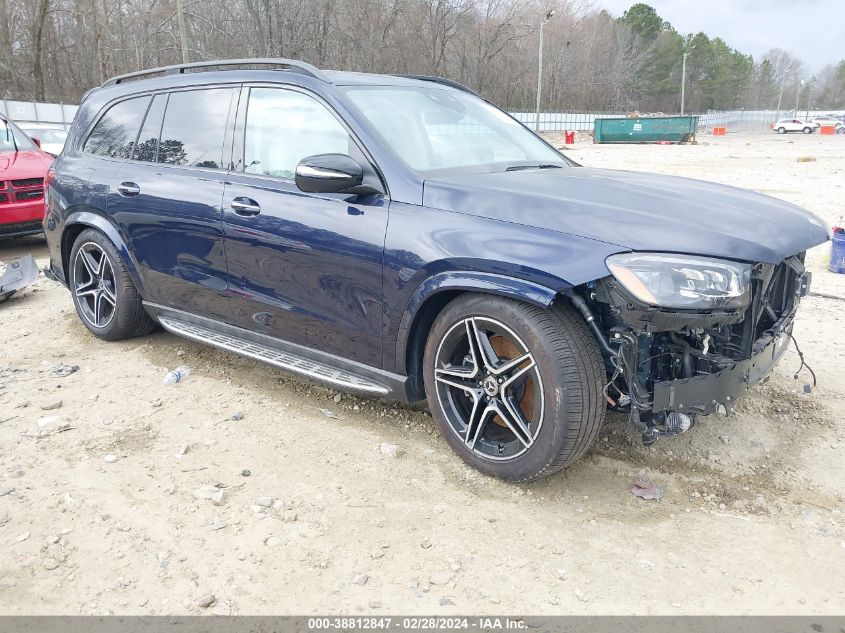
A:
(246, 490)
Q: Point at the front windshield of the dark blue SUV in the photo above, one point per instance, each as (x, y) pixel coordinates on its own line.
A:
(432, 129)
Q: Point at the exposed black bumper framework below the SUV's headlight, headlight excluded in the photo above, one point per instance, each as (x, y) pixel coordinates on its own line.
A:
(676, 365)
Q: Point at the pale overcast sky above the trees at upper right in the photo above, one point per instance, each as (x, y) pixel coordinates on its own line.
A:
(812, 30)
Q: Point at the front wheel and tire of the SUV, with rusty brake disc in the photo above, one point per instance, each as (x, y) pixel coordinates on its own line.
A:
(478, 411)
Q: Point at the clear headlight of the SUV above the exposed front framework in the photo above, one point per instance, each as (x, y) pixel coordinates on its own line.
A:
(682, 281)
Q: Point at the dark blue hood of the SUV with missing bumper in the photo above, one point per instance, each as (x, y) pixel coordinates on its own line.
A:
(636, 211)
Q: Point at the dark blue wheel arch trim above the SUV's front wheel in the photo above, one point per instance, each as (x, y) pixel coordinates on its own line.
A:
(435, 293)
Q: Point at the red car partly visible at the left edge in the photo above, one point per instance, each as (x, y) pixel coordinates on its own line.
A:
(23, 167)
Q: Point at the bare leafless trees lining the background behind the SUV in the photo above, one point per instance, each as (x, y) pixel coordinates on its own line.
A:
(57, 49)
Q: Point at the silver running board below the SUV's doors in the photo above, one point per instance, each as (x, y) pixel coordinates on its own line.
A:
(284, 360)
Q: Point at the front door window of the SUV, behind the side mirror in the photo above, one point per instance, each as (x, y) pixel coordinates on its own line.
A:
(285, 126)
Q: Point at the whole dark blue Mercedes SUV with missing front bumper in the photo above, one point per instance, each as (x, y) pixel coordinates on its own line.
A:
(402, 237)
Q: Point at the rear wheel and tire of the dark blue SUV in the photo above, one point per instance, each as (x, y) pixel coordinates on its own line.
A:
(106, 300)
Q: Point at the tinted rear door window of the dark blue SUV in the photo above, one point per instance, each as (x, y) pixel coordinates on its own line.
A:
(194, 128)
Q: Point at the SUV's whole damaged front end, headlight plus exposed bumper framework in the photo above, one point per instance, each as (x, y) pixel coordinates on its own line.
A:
(685, 336)
